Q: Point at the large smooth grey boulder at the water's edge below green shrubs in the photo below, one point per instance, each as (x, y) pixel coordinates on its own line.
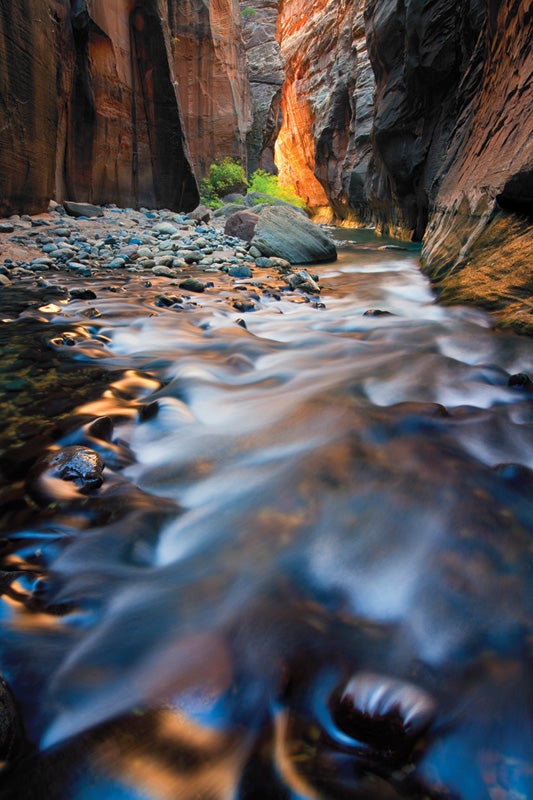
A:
(283, 232)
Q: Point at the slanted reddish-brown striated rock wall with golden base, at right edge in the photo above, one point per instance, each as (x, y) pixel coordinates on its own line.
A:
(479, 240)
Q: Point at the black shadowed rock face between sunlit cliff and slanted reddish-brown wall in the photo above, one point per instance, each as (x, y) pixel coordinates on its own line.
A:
(426, 57)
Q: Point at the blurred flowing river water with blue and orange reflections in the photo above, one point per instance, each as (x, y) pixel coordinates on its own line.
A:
(308, 571)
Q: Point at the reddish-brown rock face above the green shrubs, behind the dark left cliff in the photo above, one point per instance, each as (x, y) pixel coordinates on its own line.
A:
(209, 65)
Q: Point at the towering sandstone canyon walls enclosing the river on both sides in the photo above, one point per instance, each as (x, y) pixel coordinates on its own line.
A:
(412, 116)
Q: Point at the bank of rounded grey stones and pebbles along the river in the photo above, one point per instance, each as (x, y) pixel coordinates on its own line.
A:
(177, 258)
